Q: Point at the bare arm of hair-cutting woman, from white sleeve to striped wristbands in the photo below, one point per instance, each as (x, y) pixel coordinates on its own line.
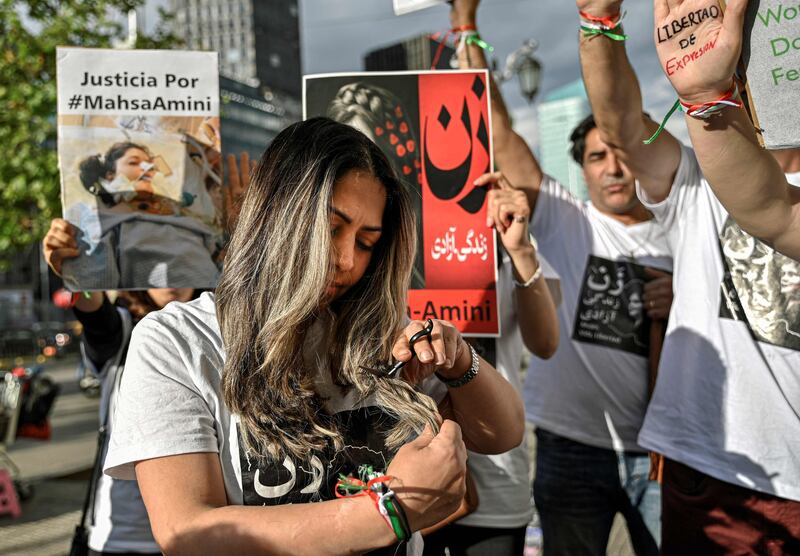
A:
(189, 513)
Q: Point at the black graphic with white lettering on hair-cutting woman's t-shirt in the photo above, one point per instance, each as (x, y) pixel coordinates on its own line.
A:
(266, 482)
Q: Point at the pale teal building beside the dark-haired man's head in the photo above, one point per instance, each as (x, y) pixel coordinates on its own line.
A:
(558, 114)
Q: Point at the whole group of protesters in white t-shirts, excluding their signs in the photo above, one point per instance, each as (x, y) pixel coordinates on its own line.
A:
(239, 407)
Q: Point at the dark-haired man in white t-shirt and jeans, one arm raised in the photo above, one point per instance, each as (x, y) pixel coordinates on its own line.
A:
(588, 401)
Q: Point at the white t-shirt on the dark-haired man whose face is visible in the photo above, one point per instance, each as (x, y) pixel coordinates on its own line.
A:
(594, 389)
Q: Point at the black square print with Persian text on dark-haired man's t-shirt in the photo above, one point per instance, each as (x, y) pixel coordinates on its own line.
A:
(610, 311)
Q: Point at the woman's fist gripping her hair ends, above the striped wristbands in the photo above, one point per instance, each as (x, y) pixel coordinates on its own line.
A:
(429, 475)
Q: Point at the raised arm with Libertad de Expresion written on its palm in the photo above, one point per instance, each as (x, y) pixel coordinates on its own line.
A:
(748, 181)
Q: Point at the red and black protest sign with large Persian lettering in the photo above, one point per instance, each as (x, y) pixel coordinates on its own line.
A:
(435, 129)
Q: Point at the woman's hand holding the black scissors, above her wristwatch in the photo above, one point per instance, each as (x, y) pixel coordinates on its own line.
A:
(446, 352)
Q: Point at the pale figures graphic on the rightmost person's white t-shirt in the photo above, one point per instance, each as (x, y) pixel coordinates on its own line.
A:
(761, 288)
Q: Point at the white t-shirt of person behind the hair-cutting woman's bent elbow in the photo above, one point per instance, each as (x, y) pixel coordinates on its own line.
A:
(502, 480)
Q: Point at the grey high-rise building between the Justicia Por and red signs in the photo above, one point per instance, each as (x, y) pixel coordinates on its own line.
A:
(259, 59)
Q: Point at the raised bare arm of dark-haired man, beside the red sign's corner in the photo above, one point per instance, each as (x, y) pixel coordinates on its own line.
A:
(511, 153)
